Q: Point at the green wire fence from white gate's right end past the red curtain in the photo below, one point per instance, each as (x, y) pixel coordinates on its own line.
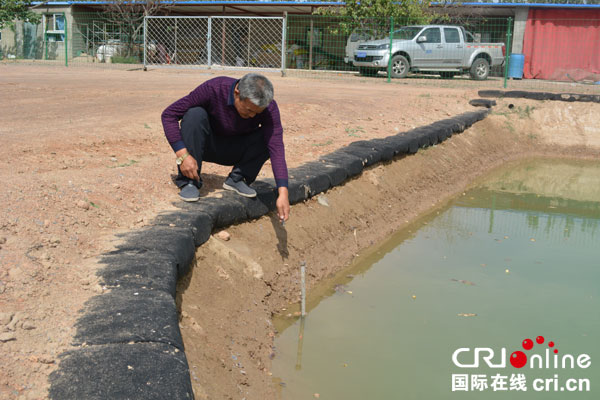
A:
(529, 53)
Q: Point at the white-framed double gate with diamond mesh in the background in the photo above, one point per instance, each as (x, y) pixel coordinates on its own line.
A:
(215, 42)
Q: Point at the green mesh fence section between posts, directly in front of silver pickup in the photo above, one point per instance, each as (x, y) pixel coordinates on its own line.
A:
(364, 46)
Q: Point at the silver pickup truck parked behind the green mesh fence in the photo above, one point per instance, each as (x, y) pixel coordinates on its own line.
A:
(445, 49)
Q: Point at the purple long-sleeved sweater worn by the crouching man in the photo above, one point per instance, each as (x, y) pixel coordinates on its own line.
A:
(216, 97)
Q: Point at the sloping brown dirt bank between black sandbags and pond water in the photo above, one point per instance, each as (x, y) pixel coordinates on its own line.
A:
(234, 288)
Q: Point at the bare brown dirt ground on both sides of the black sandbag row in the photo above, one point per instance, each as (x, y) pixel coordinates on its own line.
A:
(84, 157)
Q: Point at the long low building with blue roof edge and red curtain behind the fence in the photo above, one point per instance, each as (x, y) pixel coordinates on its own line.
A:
(76, 30)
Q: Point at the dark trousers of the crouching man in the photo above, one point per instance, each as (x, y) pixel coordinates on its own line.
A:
(247, 153)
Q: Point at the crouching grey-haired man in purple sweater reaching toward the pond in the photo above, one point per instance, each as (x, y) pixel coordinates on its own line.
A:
(228, 122)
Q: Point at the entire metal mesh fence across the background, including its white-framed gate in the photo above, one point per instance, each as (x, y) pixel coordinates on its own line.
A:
(561, 51)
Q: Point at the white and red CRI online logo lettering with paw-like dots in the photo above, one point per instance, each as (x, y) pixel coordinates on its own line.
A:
(519, 359)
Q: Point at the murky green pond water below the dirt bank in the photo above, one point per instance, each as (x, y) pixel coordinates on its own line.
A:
(515, 257)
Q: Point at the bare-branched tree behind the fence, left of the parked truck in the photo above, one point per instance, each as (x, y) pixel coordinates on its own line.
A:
(129, 16)
